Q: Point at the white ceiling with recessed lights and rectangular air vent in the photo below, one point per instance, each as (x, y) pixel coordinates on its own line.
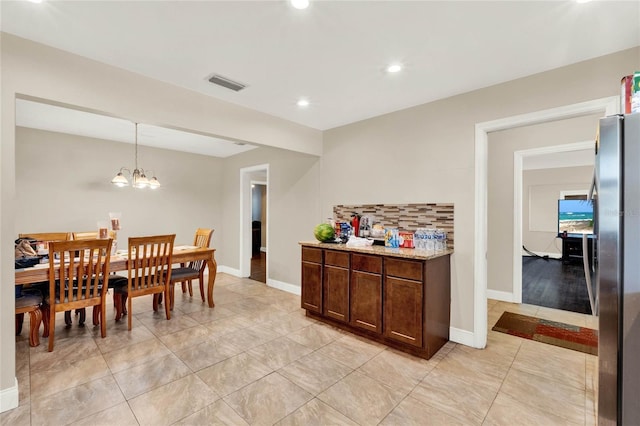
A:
(333, 53)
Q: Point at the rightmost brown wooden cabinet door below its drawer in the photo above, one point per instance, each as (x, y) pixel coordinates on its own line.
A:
(403, 310)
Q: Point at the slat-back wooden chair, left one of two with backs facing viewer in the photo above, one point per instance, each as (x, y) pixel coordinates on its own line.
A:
(77, 273)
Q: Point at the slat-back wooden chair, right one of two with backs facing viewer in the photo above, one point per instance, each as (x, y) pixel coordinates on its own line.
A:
(148, 272)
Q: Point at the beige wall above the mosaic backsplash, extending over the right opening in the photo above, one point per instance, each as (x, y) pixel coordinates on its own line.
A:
(426, 153)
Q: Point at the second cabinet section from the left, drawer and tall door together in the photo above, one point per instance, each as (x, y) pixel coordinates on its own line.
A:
(336, 285)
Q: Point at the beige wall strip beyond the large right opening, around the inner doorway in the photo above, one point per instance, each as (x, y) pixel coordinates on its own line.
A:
(502, 146)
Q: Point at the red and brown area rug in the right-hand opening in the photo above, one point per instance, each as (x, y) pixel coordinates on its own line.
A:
(554, 333)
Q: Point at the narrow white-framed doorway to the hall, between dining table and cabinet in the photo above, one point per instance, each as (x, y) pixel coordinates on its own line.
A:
(254, 183)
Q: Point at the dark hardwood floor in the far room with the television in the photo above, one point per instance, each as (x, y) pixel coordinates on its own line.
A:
(550, 283)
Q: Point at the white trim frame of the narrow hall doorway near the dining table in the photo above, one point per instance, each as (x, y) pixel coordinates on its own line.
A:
(245, 217)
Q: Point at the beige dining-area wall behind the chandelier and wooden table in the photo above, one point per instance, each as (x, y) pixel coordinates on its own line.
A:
(62, 183)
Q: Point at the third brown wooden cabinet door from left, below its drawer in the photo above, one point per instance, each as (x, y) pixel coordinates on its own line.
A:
(366, 301)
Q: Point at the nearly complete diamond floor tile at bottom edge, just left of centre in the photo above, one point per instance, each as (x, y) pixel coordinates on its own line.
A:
(267, 400)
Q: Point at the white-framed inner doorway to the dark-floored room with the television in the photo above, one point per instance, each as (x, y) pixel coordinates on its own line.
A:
(542, 176)
